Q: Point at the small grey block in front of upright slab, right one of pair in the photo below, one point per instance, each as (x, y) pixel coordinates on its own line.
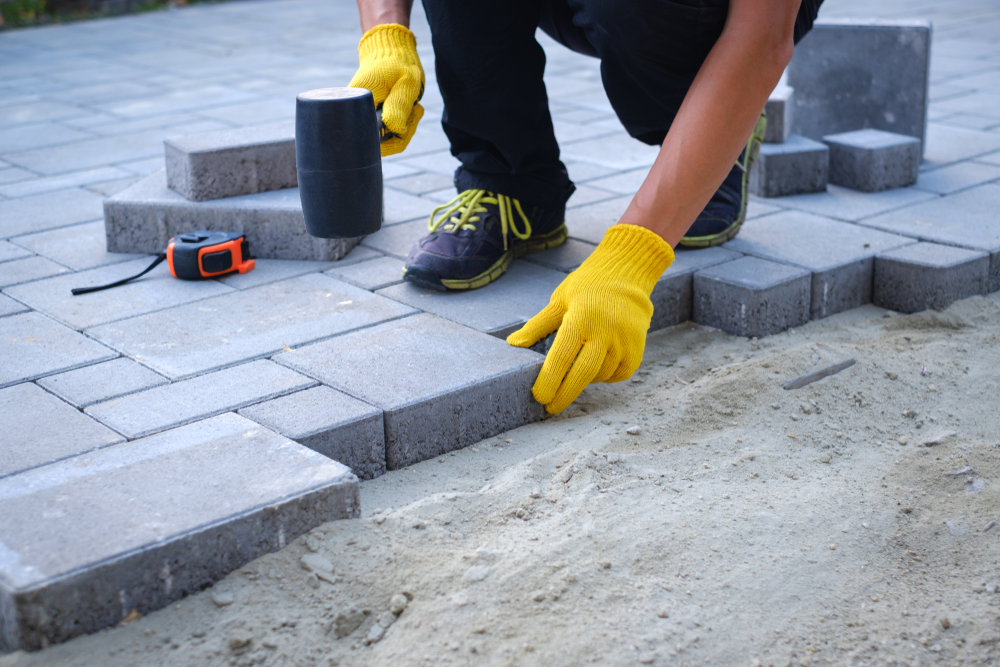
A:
(873, 160)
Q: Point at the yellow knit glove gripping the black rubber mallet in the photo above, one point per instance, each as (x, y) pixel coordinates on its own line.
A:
(390, 68)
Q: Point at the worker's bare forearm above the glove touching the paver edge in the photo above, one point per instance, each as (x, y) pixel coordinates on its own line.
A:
(717, 116)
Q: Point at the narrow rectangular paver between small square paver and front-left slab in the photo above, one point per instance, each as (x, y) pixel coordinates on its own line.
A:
(167, 406)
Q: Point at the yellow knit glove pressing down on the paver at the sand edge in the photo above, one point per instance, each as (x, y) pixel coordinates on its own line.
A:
(602, 311)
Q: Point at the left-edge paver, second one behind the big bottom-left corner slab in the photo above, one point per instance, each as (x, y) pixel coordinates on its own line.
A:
(32, 346)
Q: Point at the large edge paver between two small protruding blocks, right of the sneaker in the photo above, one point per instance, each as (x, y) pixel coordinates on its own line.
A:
(839, 255)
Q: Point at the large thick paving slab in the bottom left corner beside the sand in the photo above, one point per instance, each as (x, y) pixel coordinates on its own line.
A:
(154, 521)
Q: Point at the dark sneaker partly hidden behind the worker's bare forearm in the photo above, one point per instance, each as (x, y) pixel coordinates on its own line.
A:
(726, 211)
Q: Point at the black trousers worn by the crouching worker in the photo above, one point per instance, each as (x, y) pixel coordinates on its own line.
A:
(489, 70)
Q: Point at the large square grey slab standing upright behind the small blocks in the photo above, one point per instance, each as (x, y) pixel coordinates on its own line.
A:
(852, 74)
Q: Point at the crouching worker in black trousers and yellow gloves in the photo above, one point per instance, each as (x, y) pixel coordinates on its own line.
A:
(691, 76)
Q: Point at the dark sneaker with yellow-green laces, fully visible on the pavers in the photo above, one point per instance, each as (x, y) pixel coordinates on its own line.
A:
(476, 237)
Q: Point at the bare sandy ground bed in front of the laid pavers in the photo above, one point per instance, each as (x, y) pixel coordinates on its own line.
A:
(697, 514)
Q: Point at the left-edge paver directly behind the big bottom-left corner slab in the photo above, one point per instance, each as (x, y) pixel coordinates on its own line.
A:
(63, 432)
